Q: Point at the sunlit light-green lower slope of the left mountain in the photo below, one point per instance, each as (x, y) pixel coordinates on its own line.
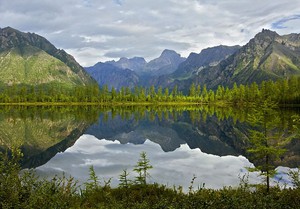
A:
(32, 66)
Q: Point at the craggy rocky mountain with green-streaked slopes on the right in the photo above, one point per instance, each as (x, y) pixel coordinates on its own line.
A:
(268, 56)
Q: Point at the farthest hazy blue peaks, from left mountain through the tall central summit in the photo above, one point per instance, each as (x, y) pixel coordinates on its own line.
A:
(134, 71)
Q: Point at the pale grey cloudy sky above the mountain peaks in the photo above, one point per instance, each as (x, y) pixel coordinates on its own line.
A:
(102, 30)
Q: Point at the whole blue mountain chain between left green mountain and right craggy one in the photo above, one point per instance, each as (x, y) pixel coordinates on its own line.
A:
(168, 67)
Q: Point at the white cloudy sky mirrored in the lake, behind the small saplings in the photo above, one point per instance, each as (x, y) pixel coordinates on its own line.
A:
(170, 168)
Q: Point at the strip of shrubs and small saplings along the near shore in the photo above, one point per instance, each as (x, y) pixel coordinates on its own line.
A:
(25, 190)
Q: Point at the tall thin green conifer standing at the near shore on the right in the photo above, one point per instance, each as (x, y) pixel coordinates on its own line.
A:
(266, 138)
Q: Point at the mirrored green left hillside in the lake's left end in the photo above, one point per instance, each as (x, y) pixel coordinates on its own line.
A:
(41, 132)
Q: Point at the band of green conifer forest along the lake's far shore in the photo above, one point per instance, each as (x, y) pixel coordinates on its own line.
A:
(283, 92)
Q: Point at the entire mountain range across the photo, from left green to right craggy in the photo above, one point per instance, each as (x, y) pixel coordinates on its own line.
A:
(30, 59)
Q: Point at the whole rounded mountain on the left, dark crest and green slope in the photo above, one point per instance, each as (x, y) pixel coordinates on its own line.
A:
(27, 58)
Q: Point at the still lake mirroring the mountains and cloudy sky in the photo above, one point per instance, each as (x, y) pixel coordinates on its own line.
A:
(209, 143)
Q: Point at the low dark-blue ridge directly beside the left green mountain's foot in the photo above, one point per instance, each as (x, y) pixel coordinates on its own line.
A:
(112, 76)
